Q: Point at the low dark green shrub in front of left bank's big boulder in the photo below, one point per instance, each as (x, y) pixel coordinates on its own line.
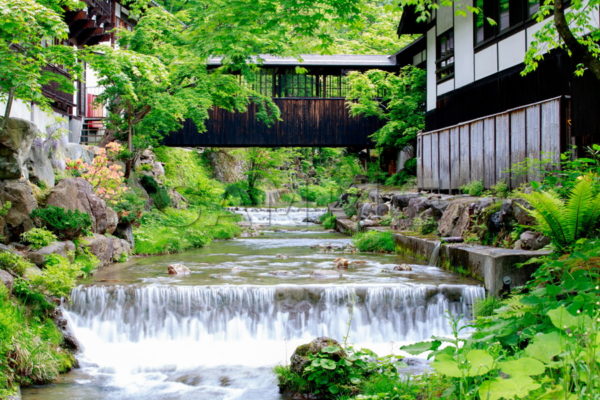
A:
(66, 224)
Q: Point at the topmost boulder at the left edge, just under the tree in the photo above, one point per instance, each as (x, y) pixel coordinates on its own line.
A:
(15, 146)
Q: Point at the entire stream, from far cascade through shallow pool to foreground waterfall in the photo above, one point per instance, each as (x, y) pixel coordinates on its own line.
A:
(217, 333)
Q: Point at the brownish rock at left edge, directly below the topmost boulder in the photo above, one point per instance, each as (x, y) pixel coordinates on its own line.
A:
(23, 202)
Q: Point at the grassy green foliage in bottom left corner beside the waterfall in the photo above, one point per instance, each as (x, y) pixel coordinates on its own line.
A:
(30, 351)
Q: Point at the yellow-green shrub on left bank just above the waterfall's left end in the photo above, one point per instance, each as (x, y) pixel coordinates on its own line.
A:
(58, 277)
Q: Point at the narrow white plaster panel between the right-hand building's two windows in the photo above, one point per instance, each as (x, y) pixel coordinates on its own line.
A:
(463, 47)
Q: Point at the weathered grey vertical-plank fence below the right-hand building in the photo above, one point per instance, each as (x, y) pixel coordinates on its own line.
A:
(485, 149)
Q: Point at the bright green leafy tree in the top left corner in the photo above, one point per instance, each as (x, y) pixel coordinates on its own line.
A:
(29, 30)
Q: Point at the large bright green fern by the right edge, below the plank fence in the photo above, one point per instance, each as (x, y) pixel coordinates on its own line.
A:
(564, 222)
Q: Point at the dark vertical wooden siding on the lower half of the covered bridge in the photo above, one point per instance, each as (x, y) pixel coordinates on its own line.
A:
(307, 122)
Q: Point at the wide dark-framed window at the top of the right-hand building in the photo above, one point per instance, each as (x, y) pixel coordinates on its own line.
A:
(506, 14)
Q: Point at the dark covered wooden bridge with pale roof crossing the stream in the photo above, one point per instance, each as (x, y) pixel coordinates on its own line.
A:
(312, 104)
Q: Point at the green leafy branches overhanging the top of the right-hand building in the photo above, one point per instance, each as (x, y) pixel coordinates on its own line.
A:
(569, 28)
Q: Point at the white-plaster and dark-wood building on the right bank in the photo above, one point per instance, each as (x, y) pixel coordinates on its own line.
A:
(483, 116)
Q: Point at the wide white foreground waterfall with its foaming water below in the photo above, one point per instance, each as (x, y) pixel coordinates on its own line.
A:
(152, 335)
